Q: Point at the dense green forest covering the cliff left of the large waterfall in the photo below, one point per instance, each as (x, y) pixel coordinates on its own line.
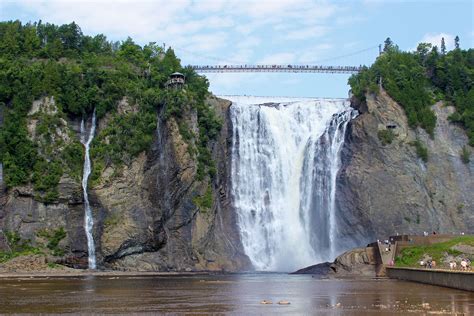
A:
(84, 74)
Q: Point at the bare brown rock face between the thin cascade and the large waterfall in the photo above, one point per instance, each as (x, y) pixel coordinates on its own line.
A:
(150, 220)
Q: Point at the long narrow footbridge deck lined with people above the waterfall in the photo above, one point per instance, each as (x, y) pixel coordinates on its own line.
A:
(277, 68)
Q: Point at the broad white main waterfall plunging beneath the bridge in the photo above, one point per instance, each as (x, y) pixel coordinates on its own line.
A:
(285, 161)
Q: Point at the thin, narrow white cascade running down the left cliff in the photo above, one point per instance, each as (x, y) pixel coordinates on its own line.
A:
(88, 220)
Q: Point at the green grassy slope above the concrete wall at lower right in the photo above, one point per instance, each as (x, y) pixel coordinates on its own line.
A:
(411, 256)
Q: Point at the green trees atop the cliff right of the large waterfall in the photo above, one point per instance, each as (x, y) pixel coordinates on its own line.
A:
(416, 80)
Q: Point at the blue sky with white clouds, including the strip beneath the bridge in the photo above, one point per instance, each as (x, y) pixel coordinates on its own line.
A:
(206, 32)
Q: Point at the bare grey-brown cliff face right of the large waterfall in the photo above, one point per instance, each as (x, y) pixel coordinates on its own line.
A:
(388, 189)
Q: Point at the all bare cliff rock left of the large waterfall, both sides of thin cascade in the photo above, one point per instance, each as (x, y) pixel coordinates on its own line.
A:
(146, 215)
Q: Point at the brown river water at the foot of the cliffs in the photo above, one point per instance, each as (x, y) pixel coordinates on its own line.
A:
(229, 294)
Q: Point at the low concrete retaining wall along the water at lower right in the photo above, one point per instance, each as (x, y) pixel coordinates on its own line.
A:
(454, 279)
